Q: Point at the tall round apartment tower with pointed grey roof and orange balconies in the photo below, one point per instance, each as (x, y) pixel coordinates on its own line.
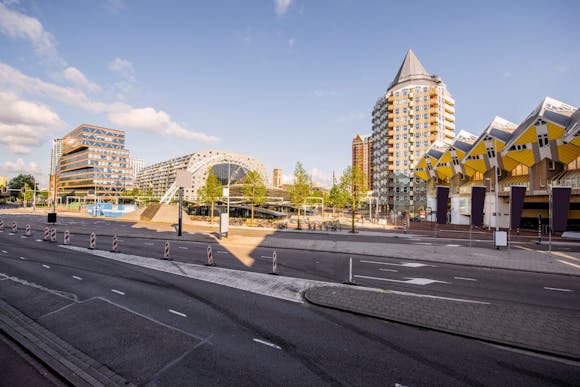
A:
(414, 112)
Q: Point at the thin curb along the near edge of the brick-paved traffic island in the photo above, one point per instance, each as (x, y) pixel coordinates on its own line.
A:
(512, 344)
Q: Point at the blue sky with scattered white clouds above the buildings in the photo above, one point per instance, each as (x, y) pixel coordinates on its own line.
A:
(280, 80)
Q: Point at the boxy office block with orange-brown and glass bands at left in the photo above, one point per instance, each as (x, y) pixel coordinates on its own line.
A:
(94, 161)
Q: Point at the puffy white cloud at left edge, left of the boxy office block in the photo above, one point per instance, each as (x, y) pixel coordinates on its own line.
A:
(24, 124)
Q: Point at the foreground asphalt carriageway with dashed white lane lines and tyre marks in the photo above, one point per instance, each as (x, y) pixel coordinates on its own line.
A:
(153, 327)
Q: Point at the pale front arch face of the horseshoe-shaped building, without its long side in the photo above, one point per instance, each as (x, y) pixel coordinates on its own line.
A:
(237, 165)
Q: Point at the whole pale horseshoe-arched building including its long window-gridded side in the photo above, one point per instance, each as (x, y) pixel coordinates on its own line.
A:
(159, 178)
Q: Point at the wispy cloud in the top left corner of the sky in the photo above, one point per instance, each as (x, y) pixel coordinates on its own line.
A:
(19, 26)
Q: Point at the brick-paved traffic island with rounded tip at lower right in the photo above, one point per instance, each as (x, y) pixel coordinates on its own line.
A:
(553, 332)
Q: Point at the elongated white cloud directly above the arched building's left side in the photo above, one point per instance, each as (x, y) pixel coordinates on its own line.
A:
(150, 120)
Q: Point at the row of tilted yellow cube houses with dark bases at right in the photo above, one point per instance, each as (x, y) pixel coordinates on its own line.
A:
(540, 156)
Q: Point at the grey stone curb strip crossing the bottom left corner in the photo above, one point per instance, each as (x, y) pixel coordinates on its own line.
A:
(69, 363)
